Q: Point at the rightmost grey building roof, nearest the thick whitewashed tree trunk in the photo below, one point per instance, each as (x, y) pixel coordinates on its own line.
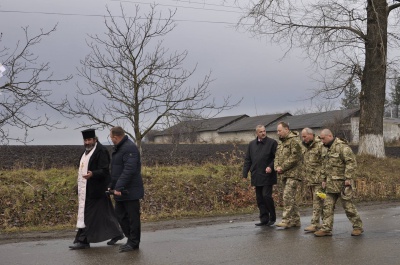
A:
(314, 120)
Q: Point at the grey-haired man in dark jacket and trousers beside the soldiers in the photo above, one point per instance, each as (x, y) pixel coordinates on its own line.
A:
(259, 161)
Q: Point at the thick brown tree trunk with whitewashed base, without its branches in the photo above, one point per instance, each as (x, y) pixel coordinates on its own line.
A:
(373, 84)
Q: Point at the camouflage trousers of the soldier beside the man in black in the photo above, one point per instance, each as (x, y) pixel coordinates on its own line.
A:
(291, 213)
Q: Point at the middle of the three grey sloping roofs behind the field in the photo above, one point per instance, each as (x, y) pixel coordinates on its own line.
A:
(250, 123)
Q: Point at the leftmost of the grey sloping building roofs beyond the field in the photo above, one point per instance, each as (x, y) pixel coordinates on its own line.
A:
(202, 125)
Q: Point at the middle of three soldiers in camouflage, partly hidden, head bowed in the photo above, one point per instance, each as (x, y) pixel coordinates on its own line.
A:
(312, 148)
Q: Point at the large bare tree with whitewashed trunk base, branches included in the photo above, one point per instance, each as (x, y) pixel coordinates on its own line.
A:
(346, 40)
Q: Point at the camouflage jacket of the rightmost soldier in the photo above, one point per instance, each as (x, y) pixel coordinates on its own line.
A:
(339, 164)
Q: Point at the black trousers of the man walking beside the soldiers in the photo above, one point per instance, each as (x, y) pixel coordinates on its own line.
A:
(265, 203)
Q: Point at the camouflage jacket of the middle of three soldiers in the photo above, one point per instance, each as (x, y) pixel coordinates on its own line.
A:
(312, 160)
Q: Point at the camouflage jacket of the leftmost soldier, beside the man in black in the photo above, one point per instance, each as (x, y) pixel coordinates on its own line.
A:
(289, 156)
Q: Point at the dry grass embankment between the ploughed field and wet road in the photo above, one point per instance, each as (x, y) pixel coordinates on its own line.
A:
(39, 199)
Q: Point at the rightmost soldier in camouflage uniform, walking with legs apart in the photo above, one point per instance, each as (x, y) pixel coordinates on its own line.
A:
(339, 165)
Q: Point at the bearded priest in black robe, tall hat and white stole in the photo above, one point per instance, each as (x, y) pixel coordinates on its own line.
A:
(96, 220)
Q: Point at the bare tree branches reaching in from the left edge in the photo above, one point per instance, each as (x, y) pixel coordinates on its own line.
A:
(24, 87)
